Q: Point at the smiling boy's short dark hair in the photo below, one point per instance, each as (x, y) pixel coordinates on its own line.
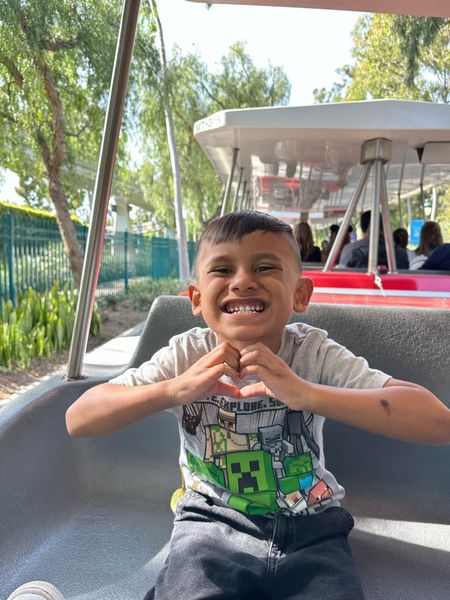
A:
(237, 224)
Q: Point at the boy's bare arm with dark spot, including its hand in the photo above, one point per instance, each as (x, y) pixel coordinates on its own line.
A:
(400, 409)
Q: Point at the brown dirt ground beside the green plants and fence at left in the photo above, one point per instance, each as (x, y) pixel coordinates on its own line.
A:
(115, 320)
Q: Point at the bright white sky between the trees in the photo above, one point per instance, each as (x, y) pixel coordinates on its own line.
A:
(309, 44)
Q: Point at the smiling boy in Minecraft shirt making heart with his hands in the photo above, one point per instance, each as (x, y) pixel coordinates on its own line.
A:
(261, 517)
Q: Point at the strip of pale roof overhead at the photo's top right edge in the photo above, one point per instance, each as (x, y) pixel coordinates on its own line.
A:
(431, 8)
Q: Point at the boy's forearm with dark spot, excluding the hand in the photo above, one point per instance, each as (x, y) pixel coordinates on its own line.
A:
(408, 413)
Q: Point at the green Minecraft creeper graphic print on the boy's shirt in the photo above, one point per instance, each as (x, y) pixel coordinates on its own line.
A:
(256, 456)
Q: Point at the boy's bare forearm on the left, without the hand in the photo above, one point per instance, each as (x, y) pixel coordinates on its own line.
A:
(108, 407)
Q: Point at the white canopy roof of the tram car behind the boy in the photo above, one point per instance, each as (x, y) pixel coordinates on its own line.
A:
(309, 157)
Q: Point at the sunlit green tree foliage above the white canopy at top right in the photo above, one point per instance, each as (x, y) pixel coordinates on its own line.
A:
(382, 61)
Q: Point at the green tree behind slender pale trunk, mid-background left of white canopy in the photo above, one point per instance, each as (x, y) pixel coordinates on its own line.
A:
(195, 93)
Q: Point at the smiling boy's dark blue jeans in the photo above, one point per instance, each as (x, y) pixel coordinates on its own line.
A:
(218, 552)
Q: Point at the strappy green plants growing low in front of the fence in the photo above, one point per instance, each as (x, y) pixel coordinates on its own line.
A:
(40, 325)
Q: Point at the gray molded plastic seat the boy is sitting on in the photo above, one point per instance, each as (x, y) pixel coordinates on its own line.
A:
(92, 516)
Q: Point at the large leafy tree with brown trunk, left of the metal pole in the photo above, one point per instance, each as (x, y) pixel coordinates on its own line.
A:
(56, 59)
